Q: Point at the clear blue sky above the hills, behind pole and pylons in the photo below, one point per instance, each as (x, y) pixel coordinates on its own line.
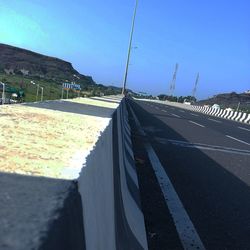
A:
(209, 37)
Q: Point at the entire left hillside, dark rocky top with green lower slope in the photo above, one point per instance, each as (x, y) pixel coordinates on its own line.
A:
(18, 67)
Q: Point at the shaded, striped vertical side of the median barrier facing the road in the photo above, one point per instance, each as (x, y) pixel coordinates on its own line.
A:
(109, 189)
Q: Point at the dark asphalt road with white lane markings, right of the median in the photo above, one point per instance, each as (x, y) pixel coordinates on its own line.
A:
(207, 161)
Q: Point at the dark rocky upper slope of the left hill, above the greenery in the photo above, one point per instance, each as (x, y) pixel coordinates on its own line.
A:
(15, 60)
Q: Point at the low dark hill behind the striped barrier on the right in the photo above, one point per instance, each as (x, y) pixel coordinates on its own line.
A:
(229, 100)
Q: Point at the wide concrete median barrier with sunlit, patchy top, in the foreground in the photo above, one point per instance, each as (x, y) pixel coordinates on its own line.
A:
(60, 208)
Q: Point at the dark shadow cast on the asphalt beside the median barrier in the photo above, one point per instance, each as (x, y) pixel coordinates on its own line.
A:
(217, 201)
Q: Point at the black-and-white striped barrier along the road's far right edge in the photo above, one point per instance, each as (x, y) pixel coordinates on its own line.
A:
(227, 114)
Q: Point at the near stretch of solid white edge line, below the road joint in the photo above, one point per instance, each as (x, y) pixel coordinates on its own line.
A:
(184, 226)
